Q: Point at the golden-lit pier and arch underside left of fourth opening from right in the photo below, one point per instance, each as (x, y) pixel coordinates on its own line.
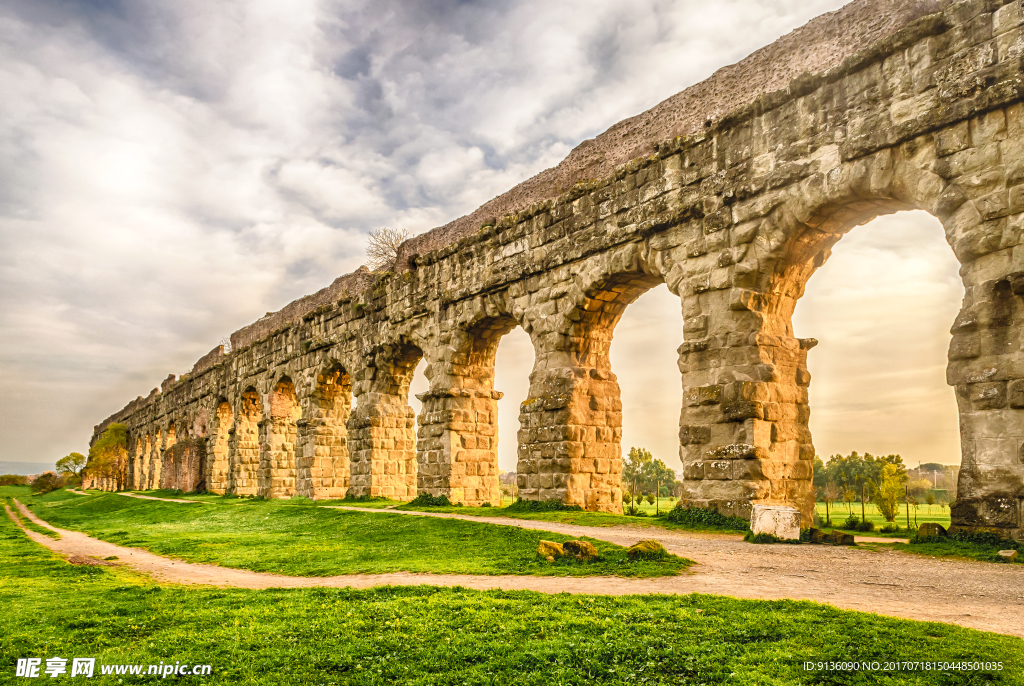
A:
(381, 428)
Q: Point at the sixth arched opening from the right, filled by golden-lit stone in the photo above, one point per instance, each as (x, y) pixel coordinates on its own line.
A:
(278, 463)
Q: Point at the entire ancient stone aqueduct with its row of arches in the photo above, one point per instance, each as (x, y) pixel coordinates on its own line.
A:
(732, 193)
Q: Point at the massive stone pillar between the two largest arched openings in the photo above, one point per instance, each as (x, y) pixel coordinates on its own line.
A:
(744, 430)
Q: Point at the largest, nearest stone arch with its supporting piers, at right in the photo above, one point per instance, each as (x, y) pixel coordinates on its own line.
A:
(759, 449)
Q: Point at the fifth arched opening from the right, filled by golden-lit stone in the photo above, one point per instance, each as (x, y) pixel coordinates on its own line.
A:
(323, 465)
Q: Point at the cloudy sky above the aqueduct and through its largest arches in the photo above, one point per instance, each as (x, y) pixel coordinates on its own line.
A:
(173, 170)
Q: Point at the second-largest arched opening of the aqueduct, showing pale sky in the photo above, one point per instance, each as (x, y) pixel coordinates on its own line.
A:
(645, 357)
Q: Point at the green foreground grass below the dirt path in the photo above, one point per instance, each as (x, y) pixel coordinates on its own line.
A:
(454, 637)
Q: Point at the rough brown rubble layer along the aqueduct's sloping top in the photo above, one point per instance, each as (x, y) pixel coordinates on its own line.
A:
(837, 41)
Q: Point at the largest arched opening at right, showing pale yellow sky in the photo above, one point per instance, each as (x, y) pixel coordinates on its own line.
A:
(881, 309)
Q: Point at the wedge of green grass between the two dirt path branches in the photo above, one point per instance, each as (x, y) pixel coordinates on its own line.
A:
(303, 539)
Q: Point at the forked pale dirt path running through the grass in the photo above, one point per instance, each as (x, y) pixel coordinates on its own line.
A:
(978, 595)
